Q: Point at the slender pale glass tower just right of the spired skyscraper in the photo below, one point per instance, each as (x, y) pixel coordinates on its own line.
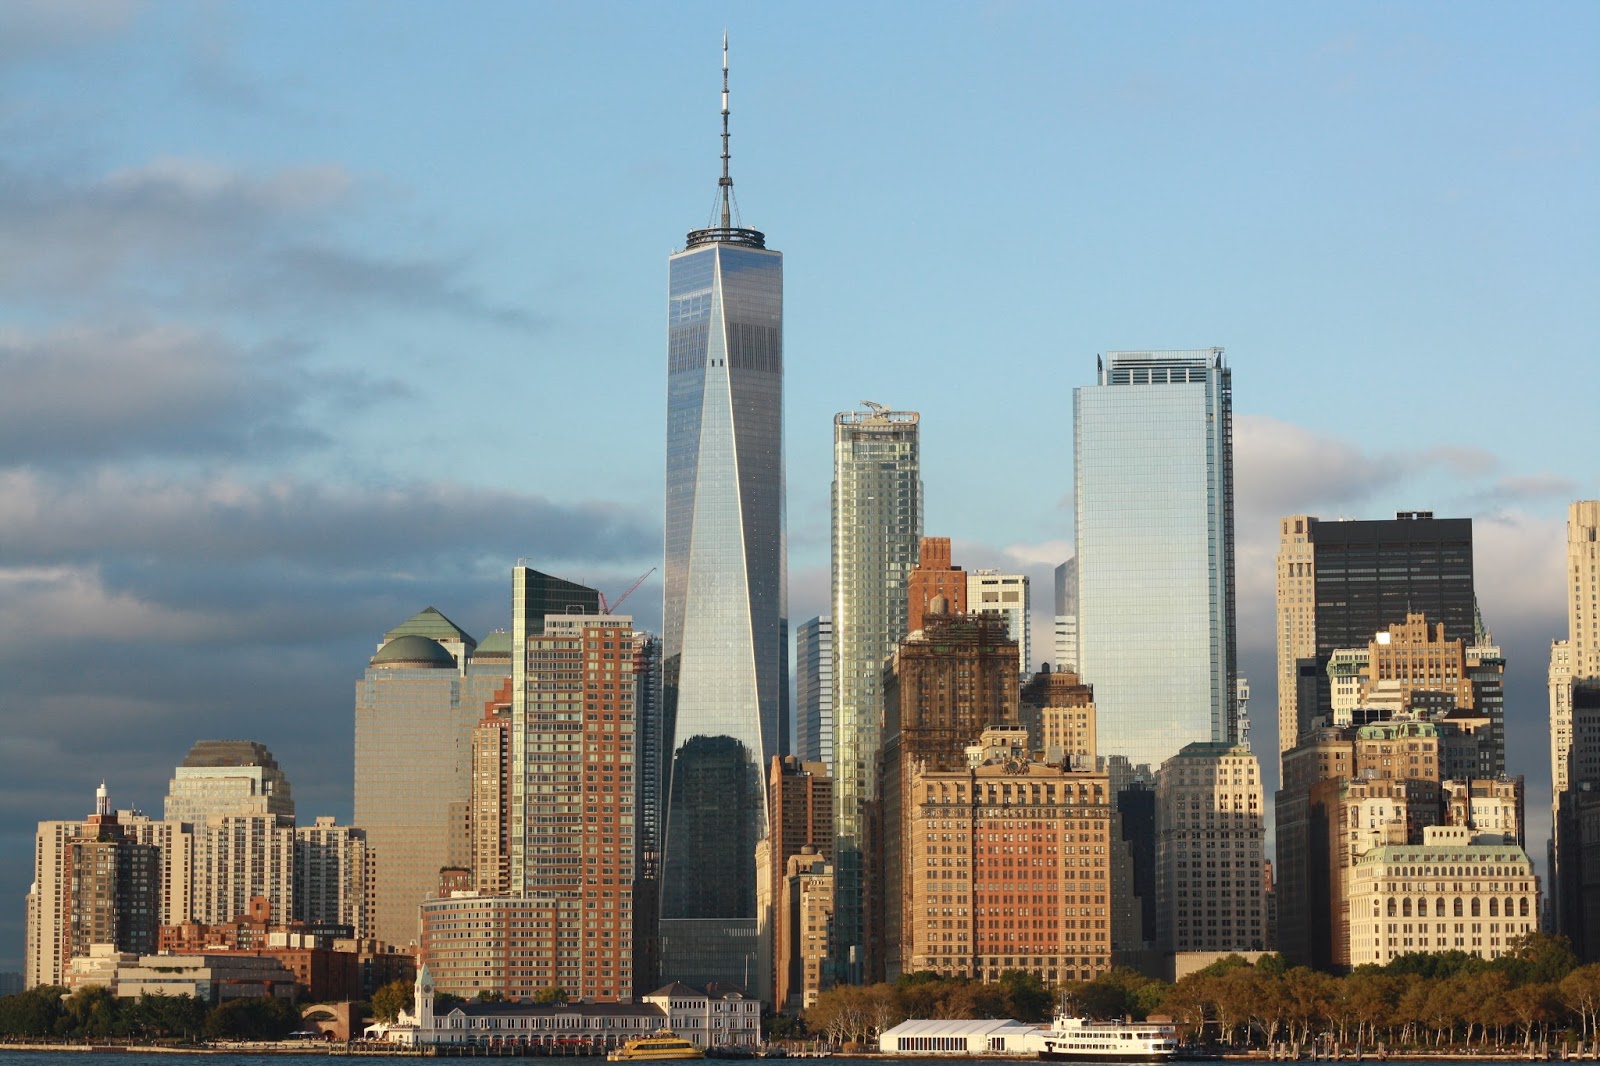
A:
(878, 531)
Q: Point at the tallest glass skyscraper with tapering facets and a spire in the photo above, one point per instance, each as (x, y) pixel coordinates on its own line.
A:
(726, 620)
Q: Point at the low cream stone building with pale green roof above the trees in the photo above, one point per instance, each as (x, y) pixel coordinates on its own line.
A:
(1454, 892)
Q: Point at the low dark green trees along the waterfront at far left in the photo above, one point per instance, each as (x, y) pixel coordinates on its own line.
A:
(92, 1012)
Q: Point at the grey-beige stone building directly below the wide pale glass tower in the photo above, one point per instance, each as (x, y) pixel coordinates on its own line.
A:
(1209, 851)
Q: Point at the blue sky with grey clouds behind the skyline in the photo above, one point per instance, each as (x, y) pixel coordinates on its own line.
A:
(319, 315)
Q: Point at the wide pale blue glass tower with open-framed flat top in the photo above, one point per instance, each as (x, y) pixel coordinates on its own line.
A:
(1154, 479)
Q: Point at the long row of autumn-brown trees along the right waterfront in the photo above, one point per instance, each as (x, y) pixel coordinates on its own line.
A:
(1534, 993)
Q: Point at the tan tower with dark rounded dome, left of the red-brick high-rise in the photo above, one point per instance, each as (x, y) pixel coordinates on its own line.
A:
(422, 697)
